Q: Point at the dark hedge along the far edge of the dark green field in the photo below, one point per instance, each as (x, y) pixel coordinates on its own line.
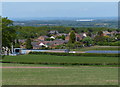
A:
(77, 54)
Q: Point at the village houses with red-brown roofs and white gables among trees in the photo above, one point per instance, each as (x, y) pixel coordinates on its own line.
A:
(42, 42)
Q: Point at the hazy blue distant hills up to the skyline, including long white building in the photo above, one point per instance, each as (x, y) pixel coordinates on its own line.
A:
(110, 22)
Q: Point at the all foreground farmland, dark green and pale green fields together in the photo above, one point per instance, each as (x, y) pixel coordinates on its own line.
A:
(37, 70)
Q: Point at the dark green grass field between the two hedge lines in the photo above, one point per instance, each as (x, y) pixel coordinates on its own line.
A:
(51, 59)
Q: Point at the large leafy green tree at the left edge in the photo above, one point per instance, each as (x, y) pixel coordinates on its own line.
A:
(8, 33)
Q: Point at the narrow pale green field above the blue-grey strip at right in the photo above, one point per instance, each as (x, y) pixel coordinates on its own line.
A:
(98, 48)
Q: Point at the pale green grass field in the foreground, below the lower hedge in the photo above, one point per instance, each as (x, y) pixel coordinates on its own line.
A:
(70, 75)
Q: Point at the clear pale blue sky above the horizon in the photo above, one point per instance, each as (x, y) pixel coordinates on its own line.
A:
(59, 9)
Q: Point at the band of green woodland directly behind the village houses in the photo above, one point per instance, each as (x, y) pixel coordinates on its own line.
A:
(33, 32)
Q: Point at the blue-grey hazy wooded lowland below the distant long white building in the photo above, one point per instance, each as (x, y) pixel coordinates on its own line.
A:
(72, 23)
